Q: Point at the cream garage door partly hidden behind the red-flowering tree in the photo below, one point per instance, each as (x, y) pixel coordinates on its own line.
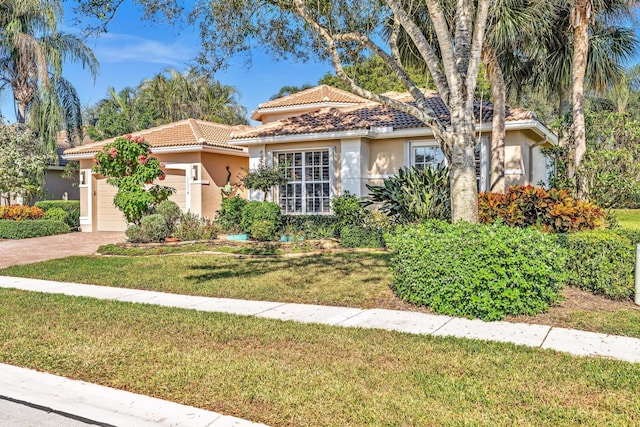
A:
(109, 218)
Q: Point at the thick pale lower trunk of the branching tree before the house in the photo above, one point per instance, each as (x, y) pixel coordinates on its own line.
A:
(462, 169)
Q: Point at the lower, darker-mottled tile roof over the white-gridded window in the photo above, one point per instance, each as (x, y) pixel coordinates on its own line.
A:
(370, 115)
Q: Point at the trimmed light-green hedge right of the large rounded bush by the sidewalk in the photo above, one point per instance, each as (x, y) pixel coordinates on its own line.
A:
(601, 262)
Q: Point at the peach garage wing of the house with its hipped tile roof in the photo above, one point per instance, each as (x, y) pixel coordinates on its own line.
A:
(199, 165)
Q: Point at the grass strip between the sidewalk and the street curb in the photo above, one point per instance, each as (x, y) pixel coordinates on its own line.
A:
(287, 374)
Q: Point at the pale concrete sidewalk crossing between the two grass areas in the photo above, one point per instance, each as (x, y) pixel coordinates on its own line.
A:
(576, 342)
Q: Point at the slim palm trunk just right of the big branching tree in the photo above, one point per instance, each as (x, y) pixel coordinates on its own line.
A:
(498, 93)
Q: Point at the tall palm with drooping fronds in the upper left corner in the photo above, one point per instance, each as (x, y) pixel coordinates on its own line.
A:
(32, 53)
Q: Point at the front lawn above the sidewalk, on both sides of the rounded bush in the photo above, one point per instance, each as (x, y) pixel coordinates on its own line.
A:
(347, 279)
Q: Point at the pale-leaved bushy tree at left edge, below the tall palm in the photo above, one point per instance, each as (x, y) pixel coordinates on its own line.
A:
(23, 163)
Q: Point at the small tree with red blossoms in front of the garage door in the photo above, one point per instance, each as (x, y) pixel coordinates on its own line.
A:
(127, 164)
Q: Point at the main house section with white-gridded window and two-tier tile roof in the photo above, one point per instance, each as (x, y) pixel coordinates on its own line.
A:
(331, 141)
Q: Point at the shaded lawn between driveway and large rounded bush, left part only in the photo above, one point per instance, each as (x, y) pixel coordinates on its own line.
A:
(348, 279)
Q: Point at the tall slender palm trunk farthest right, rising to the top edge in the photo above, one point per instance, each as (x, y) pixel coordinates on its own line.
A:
(578, 133)
